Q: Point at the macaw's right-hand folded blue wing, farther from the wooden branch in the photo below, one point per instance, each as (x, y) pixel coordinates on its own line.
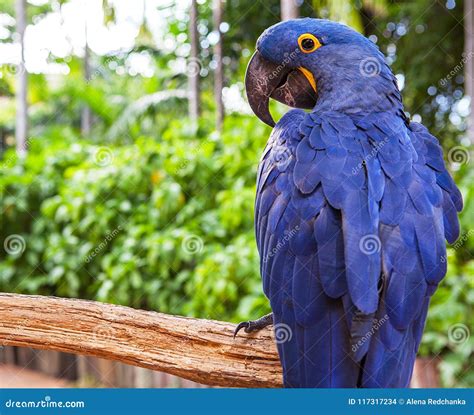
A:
(418, 211)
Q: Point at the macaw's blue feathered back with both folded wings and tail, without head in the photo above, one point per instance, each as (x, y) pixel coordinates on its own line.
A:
(340, 201)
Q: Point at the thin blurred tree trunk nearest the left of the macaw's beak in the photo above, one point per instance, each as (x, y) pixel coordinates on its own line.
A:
(217, 9)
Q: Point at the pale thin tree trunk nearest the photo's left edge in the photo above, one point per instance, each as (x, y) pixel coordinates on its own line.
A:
(21, 130)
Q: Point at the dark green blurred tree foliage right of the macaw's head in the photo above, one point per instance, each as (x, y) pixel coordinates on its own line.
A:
(423, 42)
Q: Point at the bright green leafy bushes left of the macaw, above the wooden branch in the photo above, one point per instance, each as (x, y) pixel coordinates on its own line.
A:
(158, 224)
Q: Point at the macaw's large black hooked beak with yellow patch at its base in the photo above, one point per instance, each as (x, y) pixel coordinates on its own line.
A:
(264, 79)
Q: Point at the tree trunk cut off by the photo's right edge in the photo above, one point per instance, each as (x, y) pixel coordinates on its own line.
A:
(468, 57)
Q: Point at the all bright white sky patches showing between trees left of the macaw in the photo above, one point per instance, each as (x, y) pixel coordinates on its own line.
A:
(63, 33)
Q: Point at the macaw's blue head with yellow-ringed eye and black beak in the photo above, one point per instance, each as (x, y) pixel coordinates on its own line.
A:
(301, 61)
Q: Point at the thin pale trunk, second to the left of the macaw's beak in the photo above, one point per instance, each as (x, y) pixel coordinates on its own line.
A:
(194, 65)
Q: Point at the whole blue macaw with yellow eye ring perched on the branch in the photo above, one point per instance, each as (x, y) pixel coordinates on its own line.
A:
(354, 203)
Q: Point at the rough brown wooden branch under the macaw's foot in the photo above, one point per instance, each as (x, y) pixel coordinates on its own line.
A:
(200, 350)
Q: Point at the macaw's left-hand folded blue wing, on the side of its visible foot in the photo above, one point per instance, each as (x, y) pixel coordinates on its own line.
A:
(301, 209)
